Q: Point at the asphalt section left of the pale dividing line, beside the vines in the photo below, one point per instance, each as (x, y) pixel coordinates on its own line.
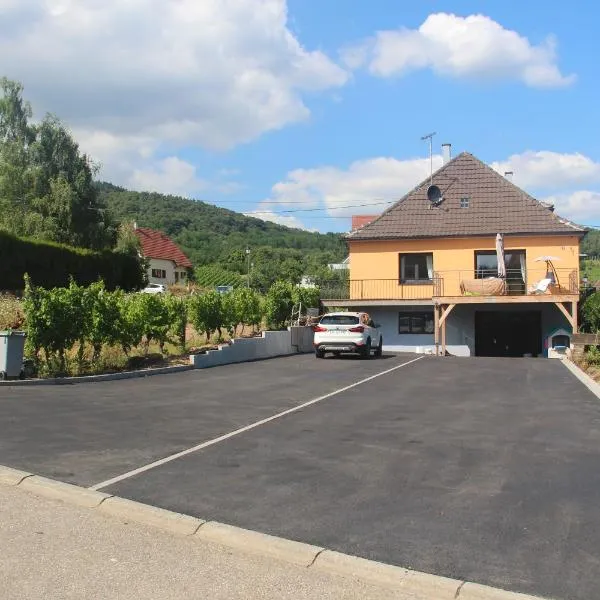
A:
(86, 433)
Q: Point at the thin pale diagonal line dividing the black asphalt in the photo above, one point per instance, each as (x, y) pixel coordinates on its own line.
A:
(241, 430)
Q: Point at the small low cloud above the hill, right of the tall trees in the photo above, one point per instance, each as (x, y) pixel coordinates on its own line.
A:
(168, 176)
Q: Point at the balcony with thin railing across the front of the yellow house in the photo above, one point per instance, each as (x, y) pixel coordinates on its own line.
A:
(462, 286)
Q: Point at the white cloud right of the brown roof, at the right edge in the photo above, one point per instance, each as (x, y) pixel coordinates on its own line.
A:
(550, 170)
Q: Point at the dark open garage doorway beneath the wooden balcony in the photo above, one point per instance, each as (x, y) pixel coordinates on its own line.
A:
(508, 333)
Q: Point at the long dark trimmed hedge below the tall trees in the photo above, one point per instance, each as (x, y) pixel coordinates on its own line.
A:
(52, 265)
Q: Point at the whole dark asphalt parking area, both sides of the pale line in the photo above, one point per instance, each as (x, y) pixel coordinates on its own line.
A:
(478, 469)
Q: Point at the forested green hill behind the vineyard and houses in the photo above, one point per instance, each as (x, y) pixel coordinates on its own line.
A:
(212, 235)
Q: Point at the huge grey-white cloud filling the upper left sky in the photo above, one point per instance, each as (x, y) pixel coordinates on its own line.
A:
(214, 73)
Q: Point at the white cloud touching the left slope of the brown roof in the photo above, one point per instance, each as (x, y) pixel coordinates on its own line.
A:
(372, 182)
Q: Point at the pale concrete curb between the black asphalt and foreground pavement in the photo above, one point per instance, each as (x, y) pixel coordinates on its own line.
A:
(422, 586)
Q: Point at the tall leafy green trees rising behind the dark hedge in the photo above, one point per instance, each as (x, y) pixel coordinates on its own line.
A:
(46, 183)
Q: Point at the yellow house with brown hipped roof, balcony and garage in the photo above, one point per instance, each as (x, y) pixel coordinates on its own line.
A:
(467, 263)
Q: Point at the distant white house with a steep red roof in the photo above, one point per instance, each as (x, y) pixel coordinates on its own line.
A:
(167, 264)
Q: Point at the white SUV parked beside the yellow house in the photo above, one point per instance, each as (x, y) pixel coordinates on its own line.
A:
(347, 332)
